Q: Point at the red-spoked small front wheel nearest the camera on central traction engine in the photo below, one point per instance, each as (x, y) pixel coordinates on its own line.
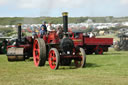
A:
(54, 58)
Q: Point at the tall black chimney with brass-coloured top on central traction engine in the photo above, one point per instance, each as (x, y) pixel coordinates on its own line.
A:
(65, 21)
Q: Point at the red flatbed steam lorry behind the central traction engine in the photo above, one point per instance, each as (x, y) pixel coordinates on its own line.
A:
(91, 45)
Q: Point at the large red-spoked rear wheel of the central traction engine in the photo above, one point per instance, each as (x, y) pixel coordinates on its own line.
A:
(39, 52)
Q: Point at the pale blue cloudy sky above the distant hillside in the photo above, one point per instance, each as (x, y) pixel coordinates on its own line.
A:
(25, 8)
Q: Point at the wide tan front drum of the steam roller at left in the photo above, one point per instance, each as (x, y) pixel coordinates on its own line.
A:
(15, 54)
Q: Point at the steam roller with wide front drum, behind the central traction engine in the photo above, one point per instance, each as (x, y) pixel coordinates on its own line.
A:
(21, 48)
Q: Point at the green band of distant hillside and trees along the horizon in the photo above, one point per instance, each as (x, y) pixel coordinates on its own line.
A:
(58, 20)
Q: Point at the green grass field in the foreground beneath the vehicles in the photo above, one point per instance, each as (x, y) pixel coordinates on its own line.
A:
(108, 69)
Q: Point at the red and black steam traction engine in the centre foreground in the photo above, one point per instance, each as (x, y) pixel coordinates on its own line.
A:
(56, 50)
